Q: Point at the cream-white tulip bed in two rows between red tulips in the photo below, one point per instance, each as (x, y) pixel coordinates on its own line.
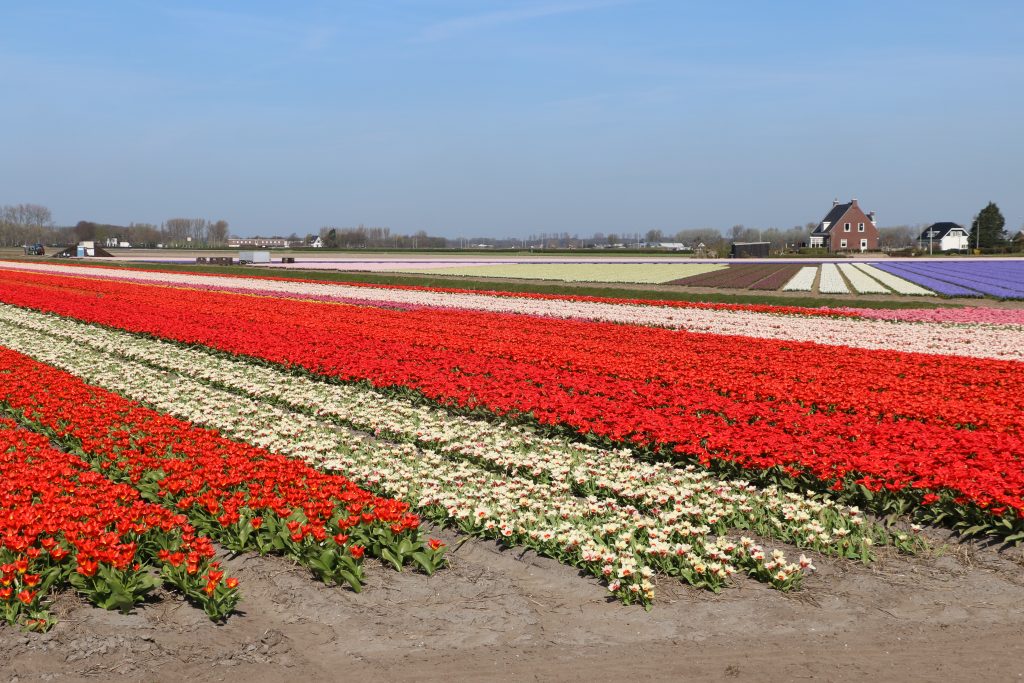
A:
(495, 481)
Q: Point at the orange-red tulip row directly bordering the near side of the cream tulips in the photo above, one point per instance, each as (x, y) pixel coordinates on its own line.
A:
(241, 496)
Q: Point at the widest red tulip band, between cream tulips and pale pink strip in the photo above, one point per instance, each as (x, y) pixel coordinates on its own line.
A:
(716, 399)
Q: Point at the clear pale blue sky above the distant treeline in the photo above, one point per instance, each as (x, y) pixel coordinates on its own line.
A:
(502, 117)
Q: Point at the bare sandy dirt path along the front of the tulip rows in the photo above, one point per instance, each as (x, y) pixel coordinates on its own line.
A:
(502, 615)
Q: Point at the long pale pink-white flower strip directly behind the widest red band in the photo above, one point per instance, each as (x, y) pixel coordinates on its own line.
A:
(972, 341)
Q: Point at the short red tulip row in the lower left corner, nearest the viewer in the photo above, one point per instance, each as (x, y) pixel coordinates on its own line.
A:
(63, 524)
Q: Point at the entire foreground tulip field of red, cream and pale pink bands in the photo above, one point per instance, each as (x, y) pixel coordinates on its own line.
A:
(151, 420)
